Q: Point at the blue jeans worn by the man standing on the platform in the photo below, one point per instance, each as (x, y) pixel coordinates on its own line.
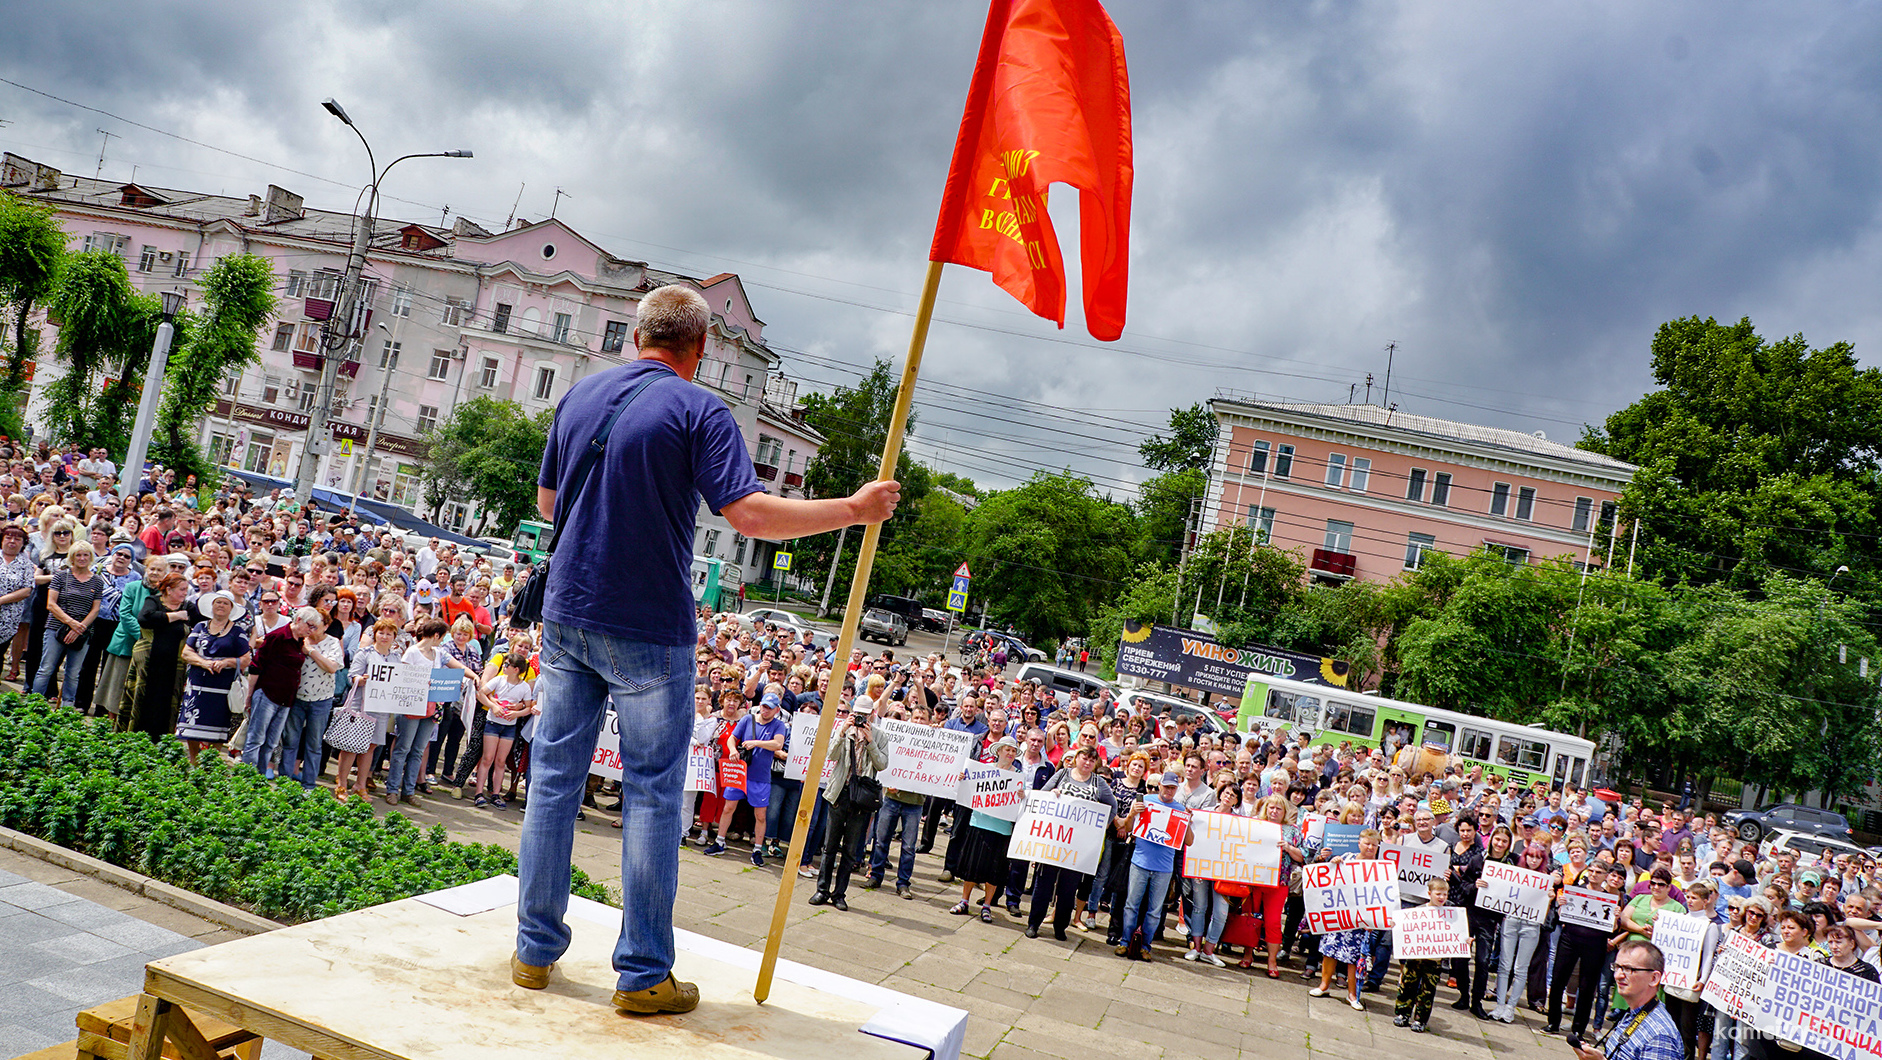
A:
(652, 692)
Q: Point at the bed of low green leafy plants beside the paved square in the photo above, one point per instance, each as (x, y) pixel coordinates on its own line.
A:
(221, 829)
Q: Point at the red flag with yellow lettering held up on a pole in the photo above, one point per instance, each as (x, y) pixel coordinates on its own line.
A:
(1051, 103)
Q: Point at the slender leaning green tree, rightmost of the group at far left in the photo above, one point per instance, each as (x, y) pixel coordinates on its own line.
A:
(238, 300)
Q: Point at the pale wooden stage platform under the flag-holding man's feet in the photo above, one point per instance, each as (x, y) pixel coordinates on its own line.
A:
(430, 978)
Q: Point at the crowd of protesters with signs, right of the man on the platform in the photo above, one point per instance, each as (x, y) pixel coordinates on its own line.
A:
(1659, 861)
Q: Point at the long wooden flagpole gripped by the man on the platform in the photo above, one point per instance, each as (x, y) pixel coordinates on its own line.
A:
(859, 590)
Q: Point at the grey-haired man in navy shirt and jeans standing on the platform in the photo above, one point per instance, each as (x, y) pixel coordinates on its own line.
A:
(618, 630)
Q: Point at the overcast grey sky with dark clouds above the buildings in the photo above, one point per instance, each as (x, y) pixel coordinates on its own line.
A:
(1518, 195)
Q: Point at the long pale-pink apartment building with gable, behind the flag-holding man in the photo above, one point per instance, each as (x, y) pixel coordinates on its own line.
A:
(456, 312)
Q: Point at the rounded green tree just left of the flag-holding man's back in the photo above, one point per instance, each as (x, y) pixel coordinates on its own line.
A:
(488, 451)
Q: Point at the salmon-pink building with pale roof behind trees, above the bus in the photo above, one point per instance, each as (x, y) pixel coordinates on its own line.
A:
(1364, 492)
